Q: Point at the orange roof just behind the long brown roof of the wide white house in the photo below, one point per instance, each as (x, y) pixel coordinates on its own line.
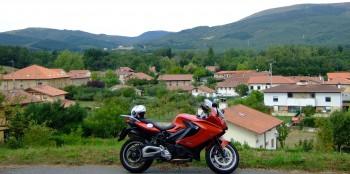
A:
(268, 79)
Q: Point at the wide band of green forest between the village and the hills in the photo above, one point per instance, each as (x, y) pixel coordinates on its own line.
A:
(286, 60)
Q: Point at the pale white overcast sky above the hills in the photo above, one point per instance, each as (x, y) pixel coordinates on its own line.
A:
(130, 17)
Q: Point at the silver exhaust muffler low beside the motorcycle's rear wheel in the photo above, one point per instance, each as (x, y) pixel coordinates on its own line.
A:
(154, 151)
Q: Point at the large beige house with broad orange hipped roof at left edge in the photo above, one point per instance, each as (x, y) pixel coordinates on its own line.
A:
(33, 76)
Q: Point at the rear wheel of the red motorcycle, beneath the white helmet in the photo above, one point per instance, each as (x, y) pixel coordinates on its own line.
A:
(131, 156)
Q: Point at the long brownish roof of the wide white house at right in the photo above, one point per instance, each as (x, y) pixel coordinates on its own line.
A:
(303, 88)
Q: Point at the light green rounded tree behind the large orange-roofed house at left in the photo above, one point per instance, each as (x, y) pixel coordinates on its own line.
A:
(69, 61)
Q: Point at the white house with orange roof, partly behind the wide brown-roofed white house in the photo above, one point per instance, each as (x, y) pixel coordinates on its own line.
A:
(264, 82)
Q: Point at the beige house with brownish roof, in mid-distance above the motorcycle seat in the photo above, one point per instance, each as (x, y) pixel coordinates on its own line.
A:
(177, 81)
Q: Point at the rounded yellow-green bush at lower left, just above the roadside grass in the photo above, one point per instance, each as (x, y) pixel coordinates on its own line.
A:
(38, 135)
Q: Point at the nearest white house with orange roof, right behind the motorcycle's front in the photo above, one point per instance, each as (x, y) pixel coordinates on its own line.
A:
(251, 127)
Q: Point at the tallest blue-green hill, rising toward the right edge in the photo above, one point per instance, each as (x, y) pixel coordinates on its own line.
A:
(314, 24)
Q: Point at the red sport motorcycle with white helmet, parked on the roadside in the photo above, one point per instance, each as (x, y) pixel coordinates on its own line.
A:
(182, 141)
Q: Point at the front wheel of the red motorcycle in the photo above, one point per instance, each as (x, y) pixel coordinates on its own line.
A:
(220, 164)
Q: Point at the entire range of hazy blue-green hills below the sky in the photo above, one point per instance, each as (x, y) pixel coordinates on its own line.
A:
(309, 24)
